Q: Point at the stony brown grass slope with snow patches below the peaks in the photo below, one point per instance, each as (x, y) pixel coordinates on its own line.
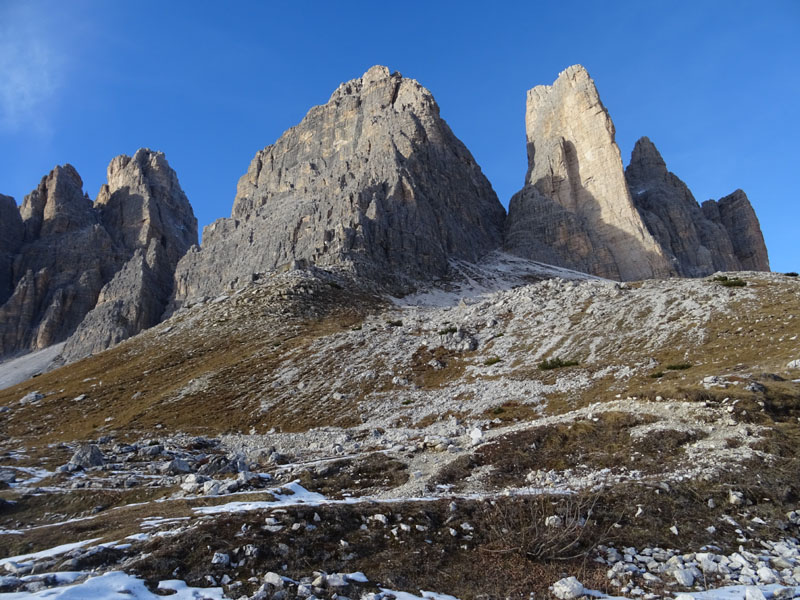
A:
(498, 436)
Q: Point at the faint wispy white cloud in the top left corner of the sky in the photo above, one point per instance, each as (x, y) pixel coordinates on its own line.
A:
(31, 65)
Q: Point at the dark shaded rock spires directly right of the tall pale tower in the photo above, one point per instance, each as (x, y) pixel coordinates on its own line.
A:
(698, 241)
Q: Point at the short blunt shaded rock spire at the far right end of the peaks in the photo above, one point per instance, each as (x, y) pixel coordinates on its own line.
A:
(736, 214)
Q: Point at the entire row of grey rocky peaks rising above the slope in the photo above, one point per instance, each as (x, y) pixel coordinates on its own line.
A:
(373, 183)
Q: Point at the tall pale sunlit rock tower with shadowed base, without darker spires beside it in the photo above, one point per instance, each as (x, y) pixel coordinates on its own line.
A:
(575, 209)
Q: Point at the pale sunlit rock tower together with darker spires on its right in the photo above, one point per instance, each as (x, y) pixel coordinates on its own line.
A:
(579, 209)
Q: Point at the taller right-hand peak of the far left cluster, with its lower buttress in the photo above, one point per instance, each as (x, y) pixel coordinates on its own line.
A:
(147, 213)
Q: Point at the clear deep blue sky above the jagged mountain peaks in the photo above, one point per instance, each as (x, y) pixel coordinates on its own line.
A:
(715, 85)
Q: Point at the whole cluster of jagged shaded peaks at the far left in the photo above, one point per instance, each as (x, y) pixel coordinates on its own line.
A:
(104, 269)
